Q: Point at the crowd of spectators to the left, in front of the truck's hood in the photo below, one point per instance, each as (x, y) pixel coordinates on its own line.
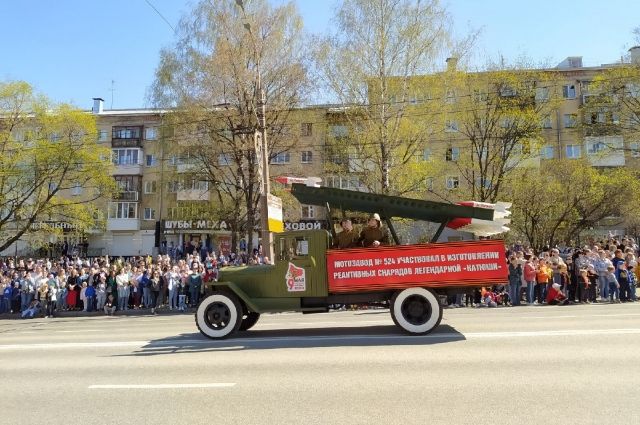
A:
(43, 287)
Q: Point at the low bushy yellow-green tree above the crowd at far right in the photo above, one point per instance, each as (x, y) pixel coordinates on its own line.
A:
(568, 197)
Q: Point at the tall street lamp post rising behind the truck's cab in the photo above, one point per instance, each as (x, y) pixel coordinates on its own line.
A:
(265, 234)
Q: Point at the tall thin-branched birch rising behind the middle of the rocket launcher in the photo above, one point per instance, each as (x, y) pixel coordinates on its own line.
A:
(367, 65)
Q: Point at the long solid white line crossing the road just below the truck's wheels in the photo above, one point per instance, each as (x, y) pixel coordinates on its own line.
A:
(241, 342)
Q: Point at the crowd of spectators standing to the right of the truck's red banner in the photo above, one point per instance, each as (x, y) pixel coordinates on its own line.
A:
(604, 271)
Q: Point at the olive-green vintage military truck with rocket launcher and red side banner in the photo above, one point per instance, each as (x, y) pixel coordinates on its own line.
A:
(307, 276)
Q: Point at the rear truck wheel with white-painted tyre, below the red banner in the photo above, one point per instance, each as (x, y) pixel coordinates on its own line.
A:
(416, 310)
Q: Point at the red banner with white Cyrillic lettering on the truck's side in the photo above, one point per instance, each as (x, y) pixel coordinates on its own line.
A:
(474, 263)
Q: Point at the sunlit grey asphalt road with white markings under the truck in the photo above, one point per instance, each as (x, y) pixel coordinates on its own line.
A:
(528, 365)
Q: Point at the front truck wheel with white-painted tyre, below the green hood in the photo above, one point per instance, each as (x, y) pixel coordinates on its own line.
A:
(219, 315)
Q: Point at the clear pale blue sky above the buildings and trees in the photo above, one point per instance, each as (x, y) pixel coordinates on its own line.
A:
(74, 50)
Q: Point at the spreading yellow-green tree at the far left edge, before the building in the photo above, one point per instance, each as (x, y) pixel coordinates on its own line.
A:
(48, 155)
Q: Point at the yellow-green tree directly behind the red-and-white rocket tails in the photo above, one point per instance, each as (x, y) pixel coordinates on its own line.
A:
(495, 120)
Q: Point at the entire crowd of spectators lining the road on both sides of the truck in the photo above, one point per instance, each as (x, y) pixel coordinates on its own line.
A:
(605, 271)
